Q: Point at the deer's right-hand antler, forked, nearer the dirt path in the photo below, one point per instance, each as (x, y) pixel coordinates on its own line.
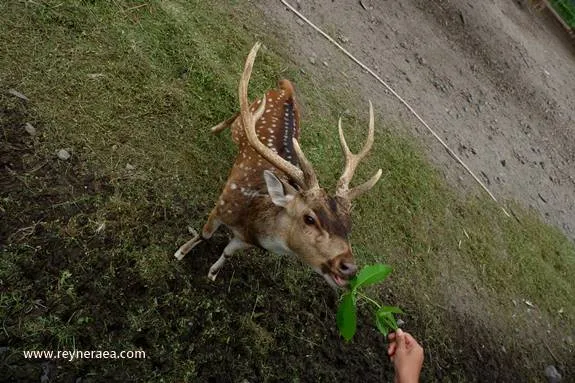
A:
(351, 162)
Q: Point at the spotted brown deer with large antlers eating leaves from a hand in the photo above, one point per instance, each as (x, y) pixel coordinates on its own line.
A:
(272, 198)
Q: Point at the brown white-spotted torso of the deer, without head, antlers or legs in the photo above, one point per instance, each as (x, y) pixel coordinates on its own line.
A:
(244, 205)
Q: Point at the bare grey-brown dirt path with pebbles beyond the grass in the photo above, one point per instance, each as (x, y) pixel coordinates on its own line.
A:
(494, 78)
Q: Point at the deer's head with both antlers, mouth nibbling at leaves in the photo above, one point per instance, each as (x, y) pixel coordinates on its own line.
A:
(316, 225)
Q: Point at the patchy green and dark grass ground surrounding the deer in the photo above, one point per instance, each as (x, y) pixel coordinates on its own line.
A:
(131, 88)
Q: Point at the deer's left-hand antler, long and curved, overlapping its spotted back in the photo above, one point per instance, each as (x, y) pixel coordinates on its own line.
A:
(249, 121)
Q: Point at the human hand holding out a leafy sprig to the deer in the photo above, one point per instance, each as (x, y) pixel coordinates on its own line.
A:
(406, 355)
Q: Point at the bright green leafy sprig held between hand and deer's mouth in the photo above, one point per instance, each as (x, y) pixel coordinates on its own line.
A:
(347, 311)
